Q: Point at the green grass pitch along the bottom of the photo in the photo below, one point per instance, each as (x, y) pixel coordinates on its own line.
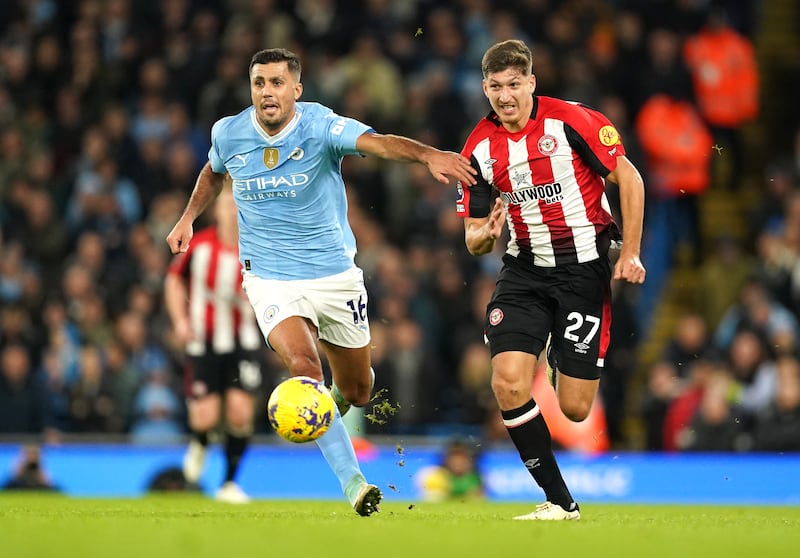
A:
(50, 526)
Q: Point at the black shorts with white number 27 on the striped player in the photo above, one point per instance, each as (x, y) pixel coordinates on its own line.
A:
(572, 302)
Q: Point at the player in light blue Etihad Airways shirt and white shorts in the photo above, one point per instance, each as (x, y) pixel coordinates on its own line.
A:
(295, 244)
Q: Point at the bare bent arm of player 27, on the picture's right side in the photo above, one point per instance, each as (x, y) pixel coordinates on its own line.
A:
(631, 193)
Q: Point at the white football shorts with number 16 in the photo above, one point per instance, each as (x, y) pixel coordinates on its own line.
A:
(337, 305)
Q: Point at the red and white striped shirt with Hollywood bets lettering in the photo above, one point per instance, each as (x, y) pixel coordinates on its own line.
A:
(551, 178)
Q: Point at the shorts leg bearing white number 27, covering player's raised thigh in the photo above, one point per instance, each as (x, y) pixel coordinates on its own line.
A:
(582, 327)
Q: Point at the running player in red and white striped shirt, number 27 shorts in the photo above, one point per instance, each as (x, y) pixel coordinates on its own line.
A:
(542, 165)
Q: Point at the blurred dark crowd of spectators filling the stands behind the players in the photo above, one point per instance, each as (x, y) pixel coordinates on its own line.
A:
(105, 113)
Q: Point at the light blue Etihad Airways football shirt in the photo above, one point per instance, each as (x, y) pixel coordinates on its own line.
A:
(289, 191)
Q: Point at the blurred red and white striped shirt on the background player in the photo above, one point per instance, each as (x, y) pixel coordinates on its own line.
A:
(219, 311)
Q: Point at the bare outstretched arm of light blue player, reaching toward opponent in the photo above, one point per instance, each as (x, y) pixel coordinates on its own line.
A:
(441, 164)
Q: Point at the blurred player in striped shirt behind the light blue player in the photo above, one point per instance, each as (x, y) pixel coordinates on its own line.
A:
(214, 322)
